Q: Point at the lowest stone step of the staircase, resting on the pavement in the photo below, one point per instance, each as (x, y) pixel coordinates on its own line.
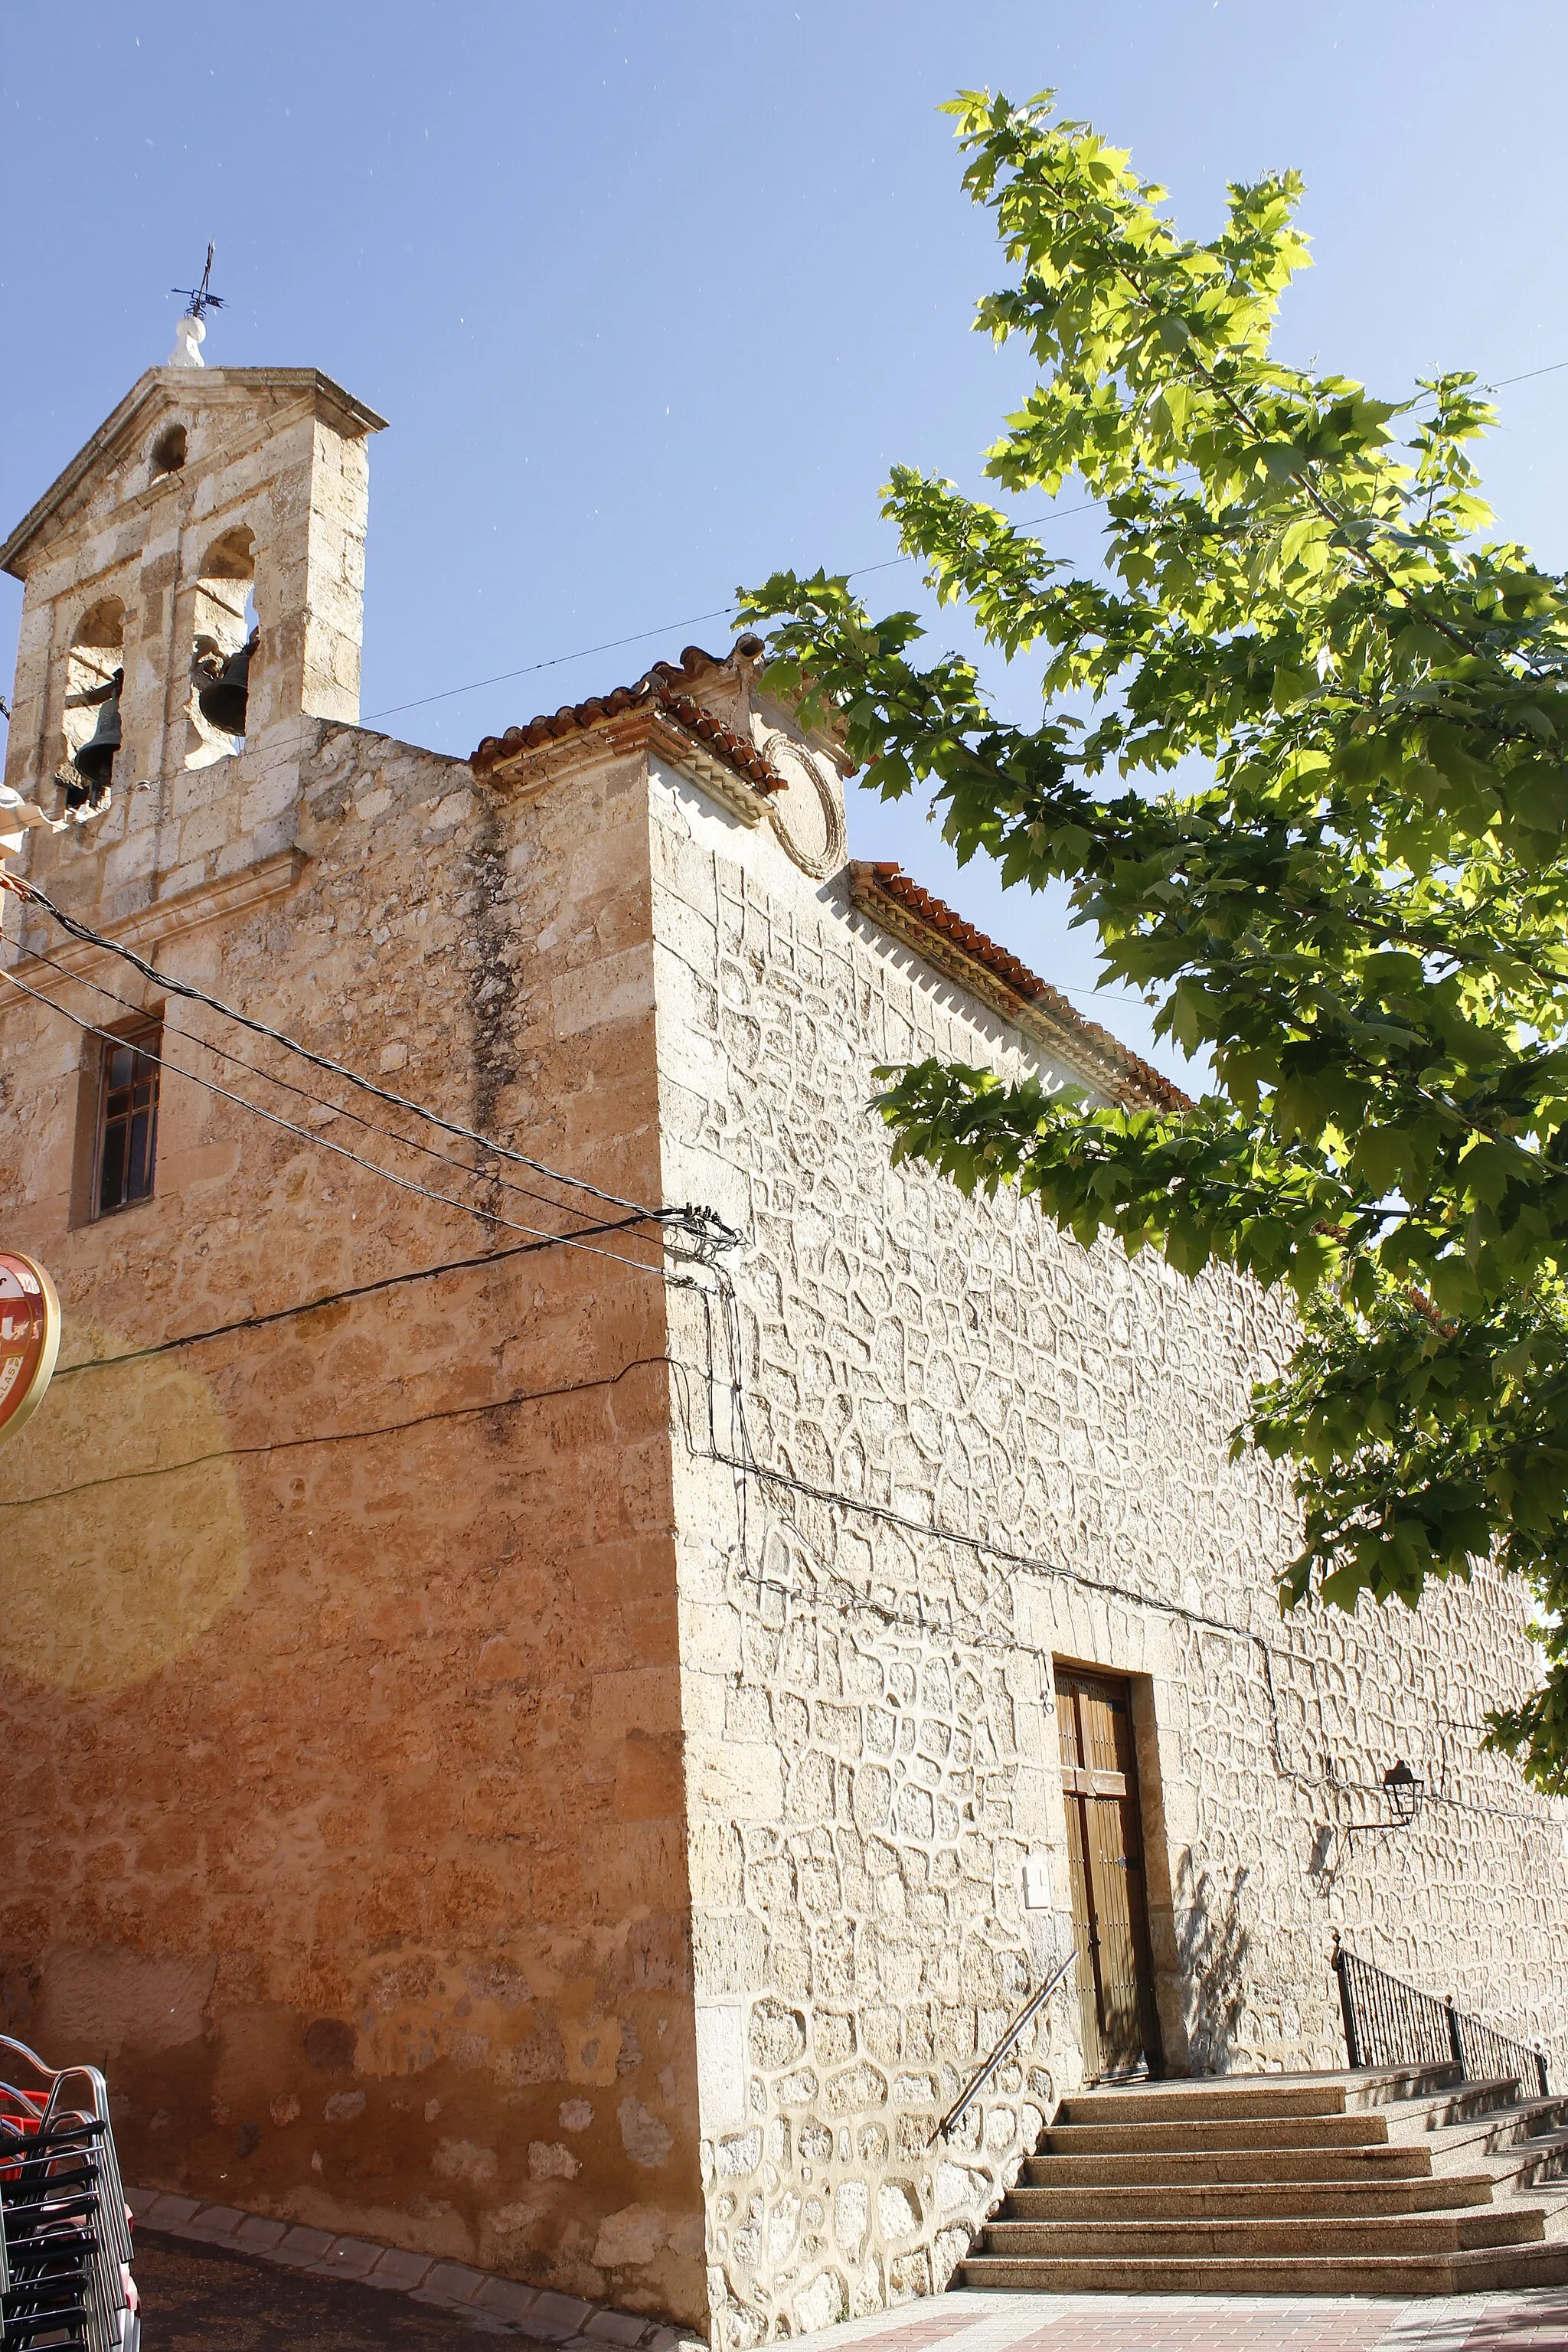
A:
(1473, 2273)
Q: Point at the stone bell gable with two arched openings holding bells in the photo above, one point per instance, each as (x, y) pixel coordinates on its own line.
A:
(213, 509)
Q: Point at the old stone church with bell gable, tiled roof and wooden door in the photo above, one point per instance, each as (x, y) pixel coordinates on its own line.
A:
(575, 1643)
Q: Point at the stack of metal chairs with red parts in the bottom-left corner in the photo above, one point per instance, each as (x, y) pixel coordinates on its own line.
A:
(65, 2224)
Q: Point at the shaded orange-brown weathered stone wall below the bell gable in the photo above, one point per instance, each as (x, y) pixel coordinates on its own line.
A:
(340, 1695)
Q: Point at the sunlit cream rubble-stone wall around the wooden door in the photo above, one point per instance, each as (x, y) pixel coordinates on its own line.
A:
(869, 1706)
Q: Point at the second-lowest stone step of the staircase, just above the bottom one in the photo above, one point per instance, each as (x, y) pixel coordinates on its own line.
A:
(1414, 2236)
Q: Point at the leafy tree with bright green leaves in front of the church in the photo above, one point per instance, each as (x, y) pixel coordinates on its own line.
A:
(1362, 914)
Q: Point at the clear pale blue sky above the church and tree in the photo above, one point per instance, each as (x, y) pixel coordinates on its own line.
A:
(657, 295)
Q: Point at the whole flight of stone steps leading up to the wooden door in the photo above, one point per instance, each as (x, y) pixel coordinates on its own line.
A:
(1367, 2184)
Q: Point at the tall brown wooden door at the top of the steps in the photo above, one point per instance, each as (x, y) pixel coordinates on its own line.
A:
(1111, 1911)
